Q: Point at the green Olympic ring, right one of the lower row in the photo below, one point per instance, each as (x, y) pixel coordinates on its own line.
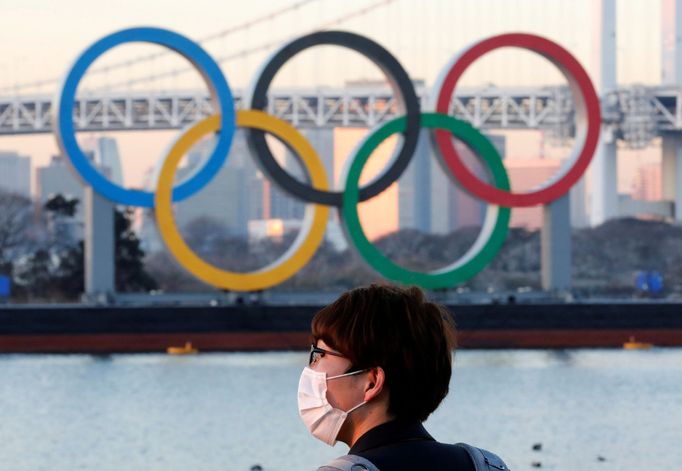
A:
(495, 226)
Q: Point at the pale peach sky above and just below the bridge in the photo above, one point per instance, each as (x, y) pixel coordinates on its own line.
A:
(39, 39)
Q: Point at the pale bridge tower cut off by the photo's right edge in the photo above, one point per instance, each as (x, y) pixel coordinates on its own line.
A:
(671, 74)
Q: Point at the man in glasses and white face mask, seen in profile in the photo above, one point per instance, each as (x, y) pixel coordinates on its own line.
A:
(380, 364)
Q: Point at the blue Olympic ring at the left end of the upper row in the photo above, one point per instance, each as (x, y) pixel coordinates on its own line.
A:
(217, 84)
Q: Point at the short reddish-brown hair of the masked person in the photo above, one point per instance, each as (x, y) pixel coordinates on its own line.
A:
(399, 330)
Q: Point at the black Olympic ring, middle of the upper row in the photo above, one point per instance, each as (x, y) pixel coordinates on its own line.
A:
(399, 81)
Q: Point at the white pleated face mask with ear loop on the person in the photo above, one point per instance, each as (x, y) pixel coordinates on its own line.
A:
(323, 420)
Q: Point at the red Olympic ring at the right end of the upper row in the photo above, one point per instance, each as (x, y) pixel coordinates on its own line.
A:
(586, 105)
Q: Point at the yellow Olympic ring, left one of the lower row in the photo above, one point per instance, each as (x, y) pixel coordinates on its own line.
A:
(309, 237)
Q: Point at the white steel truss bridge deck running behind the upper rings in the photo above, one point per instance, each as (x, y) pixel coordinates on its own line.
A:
(634, 115)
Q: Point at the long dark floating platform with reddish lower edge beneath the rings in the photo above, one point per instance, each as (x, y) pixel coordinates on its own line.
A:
(112, 329)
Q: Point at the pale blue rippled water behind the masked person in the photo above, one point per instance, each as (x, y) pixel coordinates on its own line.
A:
(231, 411)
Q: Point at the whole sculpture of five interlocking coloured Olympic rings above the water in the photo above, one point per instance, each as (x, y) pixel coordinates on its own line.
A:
(317, 194)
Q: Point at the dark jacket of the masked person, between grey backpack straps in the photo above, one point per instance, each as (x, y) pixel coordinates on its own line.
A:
(406, 445)
